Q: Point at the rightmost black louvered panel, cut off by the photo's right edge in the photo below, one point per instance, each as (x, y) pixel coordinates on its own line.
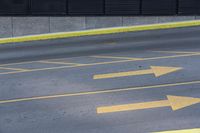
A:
(188, 7)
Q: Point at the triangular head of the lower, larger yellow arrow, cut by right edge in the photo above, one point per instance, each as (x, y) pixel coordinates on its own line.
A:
(179, 102)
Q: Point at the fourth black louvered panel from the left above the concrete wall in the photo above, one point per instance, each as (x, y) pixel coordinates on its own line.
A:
(122, 7)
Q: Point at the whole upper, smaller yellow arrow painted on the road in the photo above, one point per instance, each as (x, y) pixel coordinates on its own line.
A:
(156, 70)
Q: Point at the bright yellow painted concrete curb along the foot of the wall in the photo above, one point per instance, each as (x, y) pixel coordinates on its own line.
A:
(100, 31)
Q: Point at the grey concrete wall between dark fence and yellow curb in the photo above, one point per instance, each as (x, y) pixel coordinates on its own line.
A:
(19, 26)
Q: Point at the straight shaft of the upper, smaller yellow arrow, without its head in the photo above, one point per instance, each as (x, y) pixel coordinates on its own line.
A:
(123, 74)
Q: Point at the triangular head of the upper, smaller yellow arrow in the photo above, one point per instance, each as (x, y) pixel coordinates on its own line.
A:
(160, 70)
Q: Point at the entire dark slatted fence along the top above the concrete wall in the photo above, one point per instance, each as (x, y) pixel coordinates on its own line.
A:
(99, 7)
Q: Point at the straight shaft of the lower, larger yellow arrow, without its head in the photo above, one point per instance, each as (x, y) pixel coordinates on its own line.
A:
(132, 107)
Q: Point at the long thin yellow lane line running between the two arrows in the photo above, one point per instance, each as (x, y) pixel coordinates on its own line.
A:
(96, 92)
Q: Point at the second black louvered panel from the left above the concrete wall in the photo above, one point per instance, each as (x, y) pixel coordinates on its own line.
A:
(48, 7)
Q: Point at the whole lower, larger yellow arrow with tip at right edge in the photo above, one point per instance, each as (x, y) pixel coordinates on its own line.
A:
(175, 102)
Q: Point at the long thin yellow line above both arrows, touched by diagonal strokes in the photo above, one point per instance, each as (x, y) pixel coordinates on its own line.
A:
(104, 63)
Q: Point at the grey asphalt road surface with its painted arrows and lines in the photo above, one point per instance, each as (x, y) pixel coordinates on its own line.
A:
(137, 82)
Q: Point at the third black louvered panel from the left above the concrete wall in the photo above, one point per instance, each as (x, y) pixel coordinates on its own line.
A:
(86, 7)
